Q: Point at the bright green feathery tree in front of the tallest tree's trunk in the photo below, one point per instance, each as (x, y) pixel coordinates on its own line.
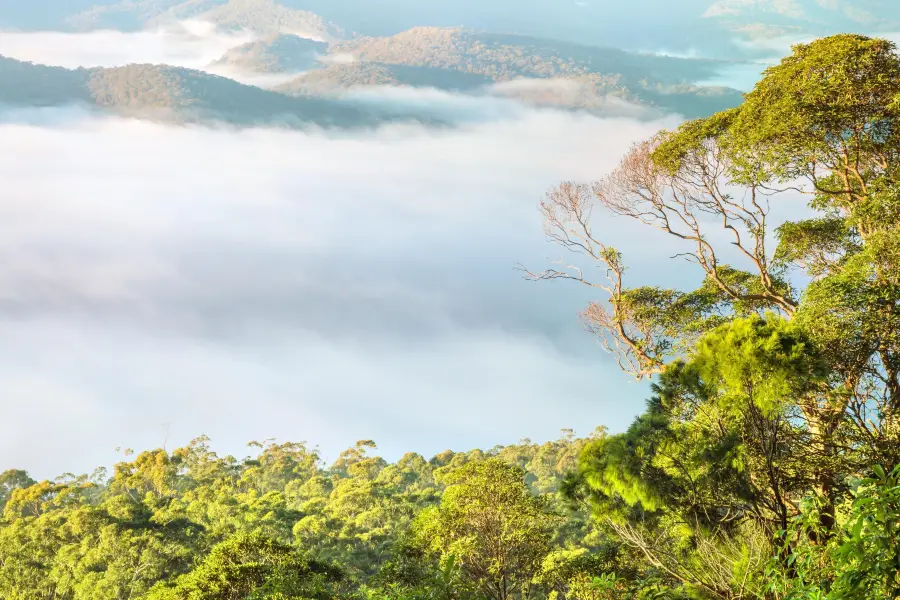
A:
(706, 480)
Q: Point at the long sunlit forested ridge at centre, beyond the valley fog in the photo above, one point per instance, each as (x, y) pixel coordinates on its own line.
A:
(542, 72)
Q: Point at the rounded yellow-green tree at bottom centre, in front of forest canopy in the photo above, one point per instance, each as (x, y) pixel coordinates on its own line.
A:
(490, 523)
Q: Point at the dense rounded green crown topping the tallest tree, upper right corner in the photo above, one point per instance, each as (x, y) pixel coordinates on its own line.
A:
(833, 94)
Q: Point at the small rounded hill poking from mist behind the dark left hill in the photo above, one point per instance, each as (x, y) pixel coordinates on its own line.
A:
(279, 53)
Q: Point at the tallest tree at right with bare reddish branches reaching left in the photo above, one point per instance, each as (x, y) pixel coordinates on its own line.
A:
(822, 123)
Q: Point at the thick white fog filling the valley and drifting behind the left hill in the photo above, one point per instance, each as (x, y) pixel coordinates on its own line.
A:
(161, 283)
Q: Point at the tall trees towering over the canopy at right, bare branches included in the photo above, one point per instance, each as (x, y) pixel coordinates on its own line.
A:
(779, 376)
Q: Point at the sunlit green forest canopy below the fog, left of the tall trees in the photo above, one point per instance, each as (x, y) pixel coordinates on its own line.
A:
(281, 524)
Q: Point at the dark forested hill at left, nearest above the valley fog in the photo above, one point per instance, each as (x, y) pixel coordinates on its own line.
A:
(171, 94)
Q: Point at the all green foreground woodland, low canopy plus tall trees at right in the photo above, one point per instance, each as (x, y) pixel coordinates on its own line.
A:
(765, 465)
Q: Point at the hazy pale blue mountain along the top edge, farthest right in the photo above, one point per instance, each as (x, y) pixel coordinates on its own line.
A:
(716, 28)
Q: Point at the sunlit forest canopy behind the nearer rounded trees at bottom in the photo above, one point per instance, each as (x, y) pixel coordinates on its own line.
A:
(157, 515)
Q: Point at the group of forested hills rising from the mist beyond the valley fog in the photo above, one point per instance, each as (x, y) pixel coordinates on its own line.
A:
(536, 72)
